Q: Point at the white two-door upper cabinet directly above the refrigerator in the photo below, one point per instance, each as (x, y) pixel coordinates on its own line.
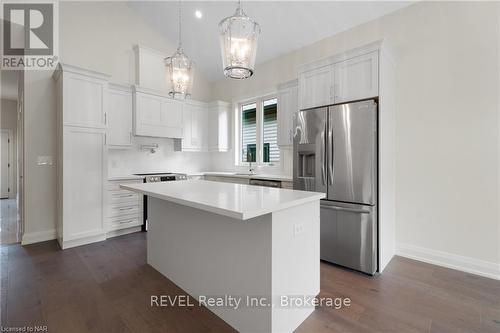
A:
(342, 78)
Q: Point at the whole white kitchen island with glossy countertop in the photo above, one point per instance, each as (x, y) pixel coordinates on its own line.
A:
(255, 244)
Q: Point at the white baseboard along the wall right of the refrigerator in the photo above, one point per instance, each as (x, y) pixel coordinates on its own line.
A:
(449, 260)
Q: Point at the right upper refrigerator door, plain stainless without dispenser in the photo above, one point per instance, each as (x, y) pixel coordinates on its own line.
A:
(352, 158)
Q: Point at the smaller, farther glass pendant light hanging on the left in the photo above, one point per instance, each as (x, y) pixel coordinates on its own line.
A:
(180, 69)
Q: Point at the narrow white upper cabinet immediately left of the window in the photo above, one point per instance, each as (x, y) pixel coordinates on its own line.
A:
(218, 126)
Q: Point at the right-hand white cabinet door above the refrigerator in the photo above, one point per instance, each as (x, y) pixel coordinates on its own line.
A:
(356, 78)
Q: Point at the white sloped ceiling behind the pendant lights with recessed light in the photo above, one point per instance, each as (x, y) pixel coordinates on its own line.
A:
(285, 25)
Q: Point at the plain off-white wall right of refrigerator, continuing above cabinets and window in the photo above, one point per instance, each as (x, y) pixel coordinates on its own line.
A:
(447, 120)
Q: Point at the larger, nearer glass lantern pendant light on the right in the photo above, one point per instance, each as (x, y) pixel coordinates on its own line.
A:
(238, 41)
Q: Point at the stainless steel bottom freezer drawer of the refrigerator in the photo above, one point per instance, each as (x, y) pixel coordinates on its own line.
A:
(349, 235)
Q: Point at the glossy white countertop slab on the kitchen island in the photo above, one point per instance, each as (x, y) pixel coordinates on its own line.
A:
(238, 201)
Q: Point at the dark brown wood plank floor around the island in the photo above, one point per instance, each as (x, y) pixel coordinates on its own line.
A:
(106, 287)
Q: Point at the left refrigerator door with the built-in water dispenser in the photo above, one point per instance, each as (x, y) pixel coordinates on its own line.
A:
(309, 153)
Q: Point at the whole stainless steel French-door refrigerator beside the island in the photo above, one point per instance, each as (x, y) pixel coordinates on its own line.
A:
(335, 152)
